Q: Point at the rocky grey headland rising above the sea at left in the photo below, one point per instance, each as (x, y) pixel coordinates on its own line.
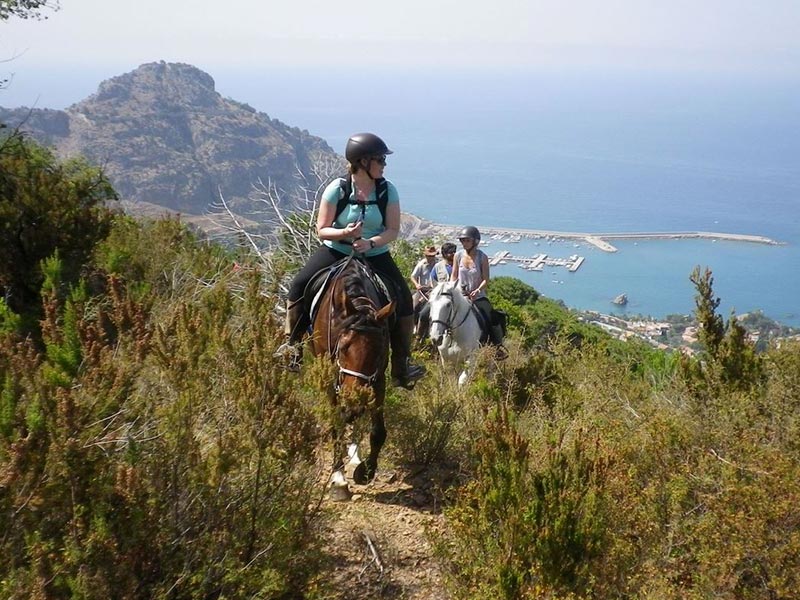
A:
(165, 136)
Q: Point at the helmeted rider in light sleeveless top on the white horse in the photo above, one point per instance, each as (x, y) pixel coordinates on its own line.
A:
(471, 271)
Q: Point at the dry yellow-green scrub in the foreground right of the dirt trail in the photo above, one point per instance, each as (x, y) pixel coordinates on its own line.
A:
(660, 493)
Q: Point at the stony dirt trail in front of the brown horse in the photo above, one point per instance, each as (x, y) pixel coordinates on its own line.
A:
(378, 543)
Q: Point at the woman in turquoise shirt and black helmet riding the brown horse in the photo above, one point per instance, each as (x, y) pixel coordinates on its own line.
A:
(359, 227)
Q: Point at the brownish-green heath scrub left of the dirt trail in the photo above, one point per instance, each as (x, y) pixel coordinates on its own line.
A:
(150, 451)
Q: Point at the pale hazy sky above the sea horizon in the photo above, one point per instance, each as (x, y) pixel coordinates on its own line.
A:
(675, 34)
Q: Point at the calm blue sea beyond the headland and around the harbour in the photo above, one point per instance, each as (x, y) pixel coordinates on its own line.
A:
(587, 151)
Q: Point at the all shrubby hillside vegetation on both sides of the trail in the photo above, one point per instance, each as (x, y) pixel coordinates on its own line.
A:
(151, 447)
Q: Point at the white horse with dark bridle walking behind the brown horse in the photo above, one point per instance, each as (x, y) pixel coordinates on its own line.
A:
(454, 327)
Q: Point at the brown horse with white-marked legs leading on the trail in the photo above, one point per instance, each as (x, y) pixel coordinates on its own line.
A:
(352, 329)
